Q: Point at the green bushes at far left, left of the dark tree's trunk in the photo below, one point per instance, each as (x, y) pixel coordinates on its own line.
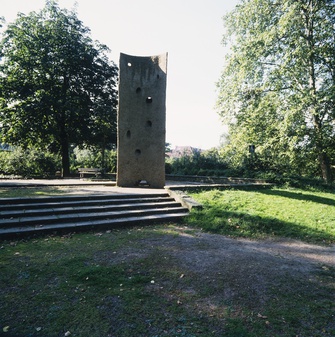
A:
(29, 163)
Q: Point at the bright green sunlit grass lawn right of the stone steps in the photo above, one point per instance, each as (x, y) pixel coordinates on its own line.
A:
(276, 212)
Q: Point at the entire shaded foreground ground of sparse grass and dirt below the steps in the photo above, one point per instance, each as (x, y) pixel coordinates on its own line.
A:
(166, 280)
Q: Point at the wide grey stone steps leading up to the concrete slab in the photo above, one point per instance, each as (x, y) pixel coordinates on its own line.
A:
(26, 216)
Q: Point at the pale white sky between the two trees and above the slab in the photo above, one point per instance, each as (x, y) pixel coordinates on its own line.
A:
(190, 31)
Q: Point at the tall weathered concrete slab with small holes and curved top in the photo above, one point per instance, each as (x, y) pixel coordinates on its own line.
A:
(141, 121)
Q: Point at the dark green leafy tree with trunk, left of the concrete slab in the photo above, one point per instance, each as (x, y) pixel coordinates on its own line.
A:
(57, 85)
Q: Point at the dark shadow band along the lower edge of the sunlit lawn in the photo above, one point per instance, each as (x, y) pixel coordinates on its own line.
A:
(238, 224)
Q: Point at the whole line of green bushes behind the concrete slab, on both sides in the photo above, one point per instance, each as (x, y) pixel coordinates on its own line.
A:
(217, 162)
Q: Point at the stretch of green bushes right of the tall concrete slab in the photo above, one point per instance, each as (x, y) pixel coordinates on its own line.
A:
(227, 162)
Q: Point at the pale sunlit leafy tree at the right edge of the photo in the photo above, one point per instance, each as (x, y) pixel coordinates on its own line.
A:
(277, 89)
